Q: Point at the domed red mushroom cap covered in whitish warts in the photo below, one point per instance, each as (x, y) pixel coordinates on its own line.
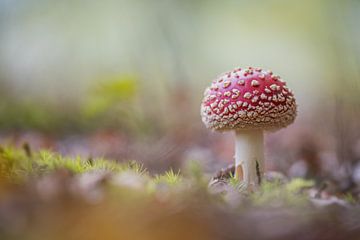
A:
(248, 99)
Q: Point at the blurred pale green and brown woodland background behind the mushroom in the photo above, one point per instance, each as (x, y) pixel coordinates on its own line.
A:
(124, 79)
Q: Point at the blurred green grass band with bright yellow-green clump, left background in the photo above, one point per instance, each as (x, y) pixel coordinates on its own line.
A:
(109, 104)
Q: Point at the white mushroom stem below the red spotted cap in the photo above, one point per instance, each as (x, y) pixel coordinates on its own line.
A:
(249, 157)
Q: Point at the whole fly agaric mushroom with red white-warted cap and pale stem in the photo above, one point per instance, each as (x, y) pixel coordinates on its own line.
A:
(248, 101)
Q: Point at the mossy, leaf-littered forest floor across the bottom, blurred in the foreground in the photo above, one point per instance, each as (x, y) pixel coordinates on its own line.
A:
(44, 195)
